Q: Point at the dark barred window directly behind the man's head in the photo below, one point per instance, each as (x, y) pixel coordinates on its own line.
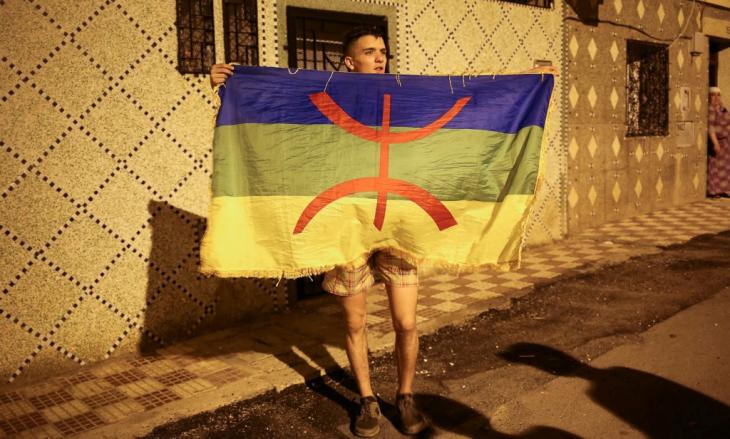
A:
(314, 37)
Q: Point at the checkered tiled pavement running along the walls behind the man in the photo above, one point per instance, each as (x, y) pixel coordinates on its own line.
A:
(128, 395)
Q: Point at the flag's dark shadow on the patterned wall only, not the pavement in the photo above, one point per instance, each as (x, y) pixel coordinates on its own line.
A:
(180, 302)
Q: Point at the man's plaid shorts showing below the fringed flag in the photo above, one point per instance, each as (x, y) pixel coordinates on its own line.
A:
(381, 265)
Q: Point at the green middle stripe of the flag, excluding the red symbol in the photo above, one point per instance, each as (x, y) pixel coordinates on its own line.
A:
(451, 164)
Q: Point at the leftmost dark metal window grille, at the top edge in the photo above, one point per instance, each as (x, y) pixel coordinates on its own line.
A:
(196, 41)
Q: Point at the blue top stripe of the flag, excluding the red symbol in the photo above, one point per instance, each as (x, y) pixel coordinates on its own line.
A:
(505, 103)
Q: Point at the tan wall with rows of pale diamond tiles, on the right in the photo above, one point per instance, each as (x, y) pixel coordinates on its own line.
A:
(612, 176)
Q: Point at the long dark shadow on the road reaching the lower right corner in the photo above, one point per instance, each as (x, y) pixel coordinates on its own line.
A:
(658, 407)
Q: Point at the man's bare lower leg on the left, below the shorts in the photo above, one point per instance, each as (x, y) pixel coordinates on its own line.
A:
(356, 342)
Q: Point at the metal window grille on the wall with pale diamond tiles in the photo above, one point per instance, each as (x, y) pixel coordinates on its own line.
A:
(647, 89)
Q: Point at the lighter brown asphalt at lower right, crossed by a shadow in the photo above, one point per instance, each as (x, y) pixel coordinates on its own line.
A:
(671, 382)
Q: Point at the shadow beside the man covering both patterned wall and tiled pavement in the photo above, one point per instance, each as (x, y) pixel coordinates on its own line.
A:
(181, 303)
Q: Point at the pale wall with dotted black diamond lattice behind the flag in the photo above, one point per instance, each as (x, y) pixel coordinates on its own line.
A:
(105, 165)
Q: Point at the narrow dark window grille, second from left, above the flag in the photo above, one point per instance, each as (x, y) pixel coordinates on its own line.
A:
(240, 28)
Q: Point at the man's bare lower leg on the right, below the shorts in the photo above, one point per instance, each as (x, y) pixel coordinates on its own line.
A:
(403, 302)
